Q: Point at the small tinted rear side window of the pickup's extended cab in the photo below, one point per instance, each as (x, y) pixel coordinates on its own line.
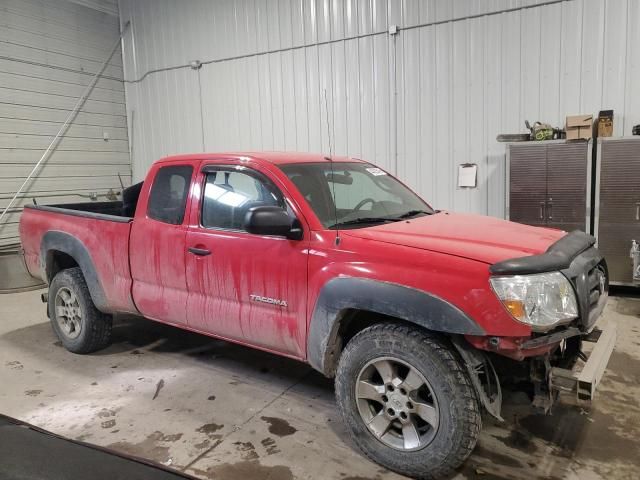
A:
(168, 197)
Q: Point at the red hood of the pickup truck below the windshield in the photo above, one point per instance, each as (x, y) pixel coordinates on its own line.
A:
(485, 239)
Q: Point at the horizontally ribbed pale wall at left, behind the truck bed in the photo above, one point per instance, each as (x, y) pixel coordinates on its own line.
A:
(49, 51)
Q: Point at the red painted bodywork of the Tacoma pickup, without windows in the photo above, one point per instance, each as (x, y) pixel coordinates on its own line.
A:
(447, 255)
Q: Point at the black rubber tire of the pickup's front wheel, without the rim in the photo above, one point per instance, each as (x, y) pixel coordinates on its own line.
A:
(458, 415)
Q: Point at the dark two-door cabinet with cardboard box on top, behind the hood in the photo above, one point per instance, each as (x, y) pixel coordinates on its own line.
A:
(548, 184)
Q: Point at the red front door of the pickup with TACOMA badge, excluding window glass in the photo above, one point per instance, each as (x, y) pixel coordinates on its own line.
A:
(242, 264)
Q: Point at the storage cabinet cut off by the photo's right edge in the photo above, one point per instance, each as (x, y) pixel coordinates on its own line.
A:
(617, 204)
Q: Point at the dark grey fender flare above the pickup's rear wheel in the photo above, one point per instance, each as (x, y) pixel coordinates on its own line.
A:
(63, 242)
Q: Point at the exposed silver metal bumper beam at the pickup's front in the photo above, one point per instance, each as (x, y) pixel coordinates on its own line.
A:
(584, 381)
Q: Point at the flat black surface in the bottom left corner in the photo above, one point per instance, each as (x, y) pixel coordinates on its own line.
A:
(29, 453)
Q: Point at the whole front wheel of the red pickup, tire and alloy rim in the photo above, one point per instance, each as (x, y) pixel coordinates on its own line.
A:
(407, 401)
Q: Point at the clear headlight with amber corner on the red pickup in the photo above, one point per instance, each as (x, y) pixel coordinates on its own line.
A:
(540, 300)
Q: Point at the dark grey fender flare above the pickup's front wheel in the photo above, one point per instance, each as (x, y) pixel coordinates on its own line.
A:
(343, 294)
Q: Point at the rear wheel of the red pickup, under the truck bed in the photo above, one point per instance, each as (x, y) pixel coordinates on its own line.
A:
(93, 328)
